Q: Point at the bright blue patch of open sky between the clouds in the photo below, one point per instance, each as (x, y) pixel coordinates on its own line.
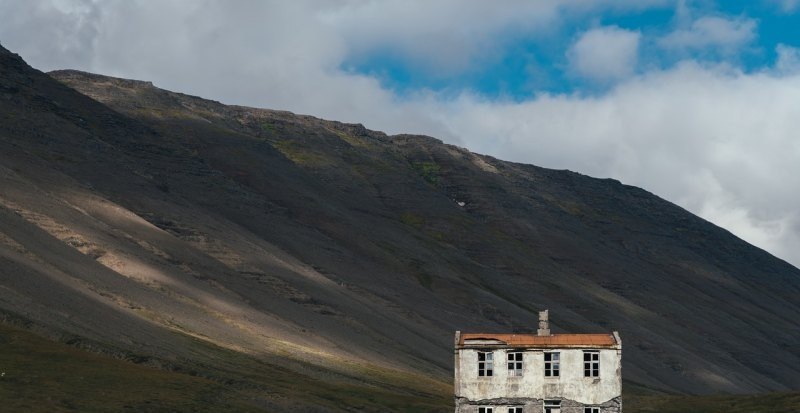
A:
(529, 63)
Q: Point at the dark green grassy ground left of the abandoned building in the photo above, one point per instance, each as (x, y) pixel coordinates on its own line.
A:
(39, 375)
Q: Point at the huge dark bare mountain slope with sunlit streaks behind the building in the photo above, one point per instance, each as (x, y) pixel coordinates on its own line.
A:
(273, 252)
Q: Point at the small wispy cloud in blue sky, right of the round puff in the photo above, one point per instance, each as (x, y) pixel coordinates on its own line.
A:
(724, 35)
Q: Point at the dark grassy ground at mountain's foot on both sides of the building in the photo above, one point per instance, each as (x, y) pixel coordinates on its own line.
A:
(40, 375)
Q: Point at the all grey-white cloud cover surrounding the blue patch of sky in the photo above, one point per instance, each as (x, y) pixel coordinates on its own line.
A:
(719, 142)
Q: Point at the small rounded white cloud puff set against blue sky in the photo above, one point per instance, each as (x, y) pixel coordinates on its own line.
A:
(605, 54)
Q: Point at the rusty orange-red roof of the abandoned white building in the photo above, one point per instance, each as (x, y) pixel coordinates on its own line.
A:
(554, 340)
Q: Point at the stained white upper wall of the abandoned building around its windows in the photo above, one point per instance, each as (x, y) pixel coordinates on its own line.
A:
(533, 385)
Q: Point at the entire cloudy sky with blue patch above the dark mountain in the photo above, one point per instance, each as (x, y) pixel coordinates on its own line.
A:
(695, 101)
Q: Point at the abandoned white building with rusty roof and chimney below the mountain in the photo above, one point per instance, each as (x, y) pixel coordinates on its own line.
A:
(538, 373)
